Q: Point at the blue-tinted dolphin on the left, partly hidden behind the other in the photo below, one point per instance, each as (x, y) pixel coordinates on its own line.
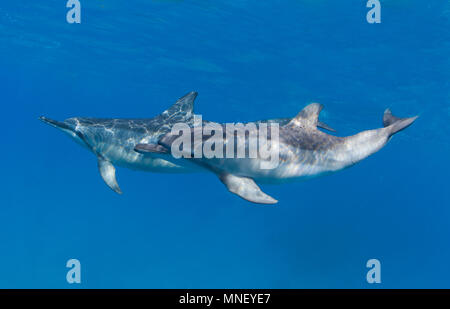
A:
(113, 140)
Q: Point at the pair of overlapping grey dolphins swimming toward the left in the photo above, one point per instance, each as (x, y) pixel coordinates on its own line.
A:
(305, 151)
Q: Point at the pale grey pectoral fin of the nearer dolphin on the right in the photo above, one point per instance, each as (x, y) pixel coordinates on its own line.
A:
(246, 188)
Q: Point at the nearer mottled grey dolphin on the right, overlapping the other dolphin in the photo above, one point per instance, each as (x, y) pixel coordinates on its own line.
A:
(304, 152)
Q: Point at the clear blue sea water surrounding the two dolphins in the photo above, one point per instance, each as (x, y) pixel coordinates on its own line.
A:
(248, 60)
